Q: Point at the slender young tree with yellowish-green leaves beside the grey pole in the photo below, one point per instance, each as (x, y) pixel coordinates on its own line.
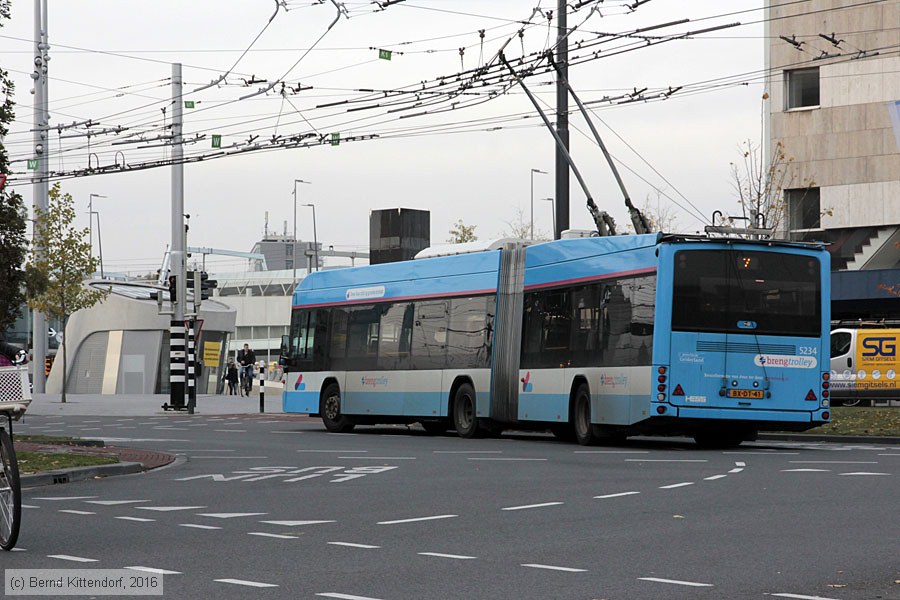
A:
(60, 262)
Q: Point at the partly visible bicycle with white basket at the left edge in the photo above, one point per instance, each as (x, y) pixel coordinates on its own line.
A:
(15, 396)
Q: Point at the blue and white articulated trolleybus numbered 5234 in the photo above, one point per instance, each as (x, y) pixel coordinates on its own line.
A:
(592, 338)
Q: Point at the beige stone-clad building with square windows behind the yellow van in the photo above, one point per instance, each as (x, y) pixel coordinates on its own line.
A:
(835, 84)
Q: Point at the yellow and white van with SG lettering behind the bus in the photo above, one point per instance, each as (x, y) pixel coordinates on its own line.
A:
(865, 366)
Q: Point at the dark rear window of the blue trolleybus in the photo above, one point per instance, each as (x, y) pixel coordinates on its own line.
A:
(747, 292)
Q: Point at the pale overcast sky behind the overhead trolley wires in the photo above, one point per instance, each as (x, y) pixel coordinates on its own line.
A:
(111, 63)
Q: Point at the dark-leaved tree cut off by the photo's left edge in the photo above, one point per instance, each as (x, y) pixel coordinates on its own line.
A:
(13, 244)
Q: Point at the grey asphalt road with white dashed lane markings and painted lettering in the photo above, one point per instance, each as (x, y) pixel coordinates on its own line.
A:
(274, 506)
